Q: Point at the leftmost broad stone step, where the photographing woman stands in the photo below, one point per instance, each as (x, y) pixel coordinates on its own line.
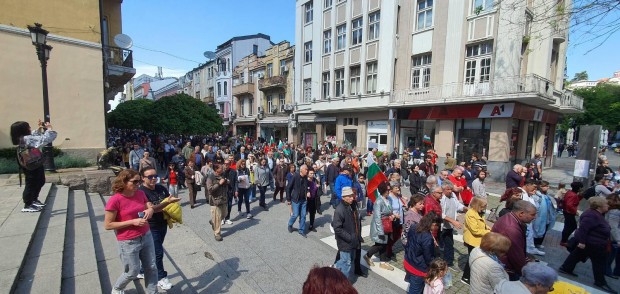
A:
(17, 229)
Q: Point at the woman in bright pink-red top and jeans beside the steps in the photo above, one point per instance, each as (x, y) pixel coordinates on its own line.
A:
(127, 213)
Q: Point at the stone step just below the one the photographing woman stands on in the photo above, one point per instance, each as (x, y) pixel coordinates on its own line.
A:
(41, 270)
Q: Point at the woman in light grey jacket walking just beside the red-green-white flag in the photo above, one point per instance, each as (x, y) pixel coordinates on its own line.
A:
(381, 209)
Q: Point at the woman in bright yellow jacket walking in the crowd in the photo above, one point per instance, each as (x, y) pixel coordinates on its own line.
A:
(475, 229)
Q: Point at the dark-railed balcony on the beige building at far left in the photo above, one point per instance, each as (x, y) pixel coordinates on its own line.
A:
(119, 63)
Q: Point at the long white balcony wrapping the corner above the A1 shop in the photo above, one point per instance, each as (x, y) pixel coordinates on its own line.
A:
(531, 89)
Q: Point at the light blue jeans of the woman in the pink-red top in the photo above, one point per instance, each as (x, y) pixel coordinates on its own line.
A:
(132, 253)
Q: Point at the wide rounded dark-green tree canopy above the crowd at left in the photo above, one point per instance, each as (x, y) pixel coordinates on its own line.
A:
(177, 114)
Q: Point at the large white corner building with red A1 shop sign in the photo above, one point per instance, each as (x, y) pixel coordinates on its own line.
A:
(465, 76)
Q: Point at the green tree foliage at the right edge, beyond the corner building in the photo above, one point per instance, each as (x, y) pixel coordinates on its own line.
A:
(601, 105)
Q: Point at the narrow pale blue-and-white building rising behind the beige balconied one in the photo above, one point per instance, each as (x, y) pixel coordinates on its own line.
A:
(227, 55)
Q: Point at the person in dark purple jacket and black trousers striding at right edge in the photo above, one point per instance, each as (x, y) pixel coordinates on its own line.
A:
(592, 237)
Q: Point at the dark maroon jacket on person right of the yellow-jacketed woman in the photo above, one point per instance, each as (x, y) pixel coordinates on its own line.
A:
(509, 226)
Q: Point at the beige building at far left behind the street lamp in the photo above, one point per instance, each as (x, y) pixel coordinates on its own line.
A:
(86, 68)
